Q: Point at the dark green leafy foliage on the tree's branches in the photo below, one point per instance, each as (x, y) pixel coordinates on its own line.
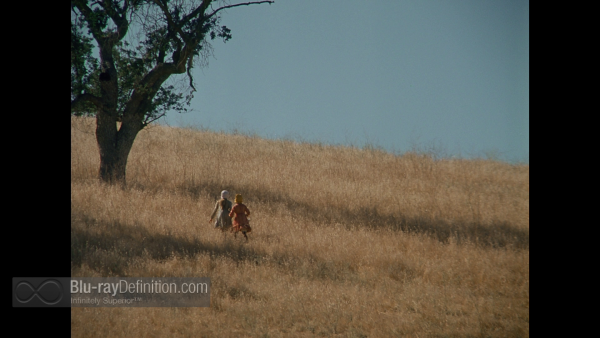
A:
(151, 39)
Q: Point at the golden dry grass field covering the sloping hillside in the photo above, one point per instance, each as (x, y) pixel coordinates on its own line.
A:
(346, 242)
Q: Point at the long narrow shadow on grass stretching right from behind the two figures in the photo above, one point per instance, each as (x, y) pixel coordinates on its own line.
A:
(498, 234)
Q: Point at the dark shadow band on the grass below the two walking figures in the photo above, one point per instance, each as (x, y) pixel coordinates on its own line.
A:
(111, 247)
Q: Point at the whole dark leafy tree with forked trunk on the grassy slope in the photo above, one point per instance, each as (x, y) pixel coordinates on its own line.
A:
(128, 83)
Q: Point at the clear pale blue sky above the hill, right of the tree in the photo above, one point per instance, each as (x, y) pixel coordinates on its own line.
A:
(452, 75)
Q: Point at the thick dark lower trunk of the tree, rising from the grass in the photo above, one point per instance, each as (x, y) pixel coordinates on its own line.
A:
(114, 146)
